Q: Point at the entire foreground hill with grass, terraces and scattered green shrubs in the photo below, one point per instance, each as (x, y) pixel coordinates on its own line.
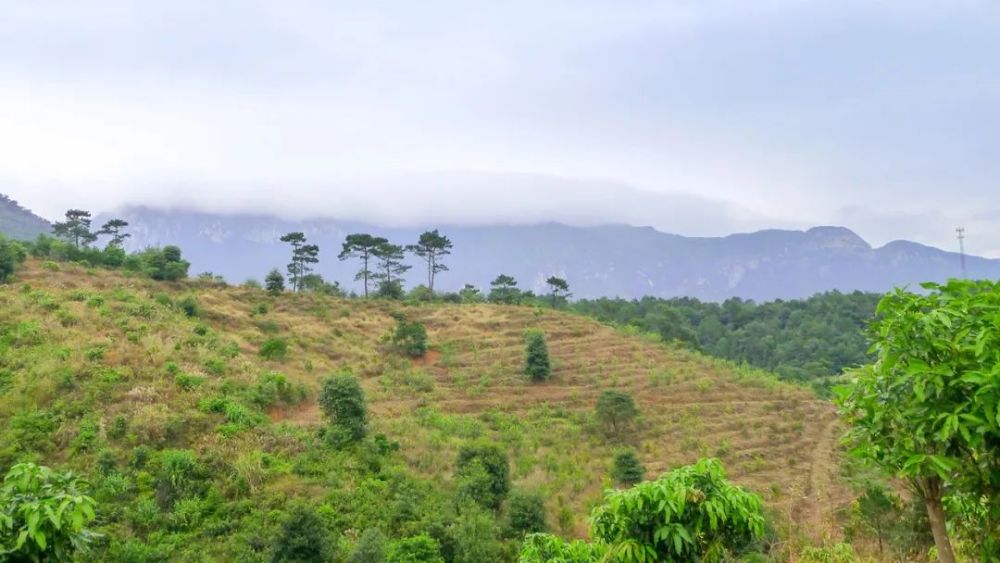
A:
(224, 423)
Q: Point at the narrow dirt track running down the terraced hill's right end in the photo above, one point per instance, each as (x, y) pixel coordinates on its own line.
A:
(819, 502)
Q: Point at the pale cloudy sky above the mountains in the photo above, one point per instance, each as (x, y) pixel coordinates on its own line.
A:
(697, 117)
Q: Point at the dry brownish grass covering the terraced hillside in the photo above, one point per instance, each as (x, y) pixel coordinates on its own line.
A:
(777, 439)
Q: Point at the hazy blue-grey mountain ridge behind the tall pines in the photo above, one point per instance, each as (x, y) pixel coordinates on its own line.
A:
(612, 260)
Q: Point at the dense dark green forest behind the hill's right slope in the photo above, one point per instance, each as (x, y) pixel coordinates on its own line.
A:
(798, 339)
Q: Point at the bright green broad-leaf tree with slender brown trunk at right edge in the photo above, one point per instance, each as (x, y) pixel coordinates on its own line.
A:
(927, 408)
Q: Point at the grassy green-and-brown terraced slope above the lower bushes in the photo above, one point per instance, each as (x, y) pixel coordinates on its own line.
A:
(87, 354)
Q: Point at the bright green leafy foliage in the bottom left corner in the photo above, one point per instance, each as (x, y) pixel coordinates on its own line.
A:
(44, 515)
